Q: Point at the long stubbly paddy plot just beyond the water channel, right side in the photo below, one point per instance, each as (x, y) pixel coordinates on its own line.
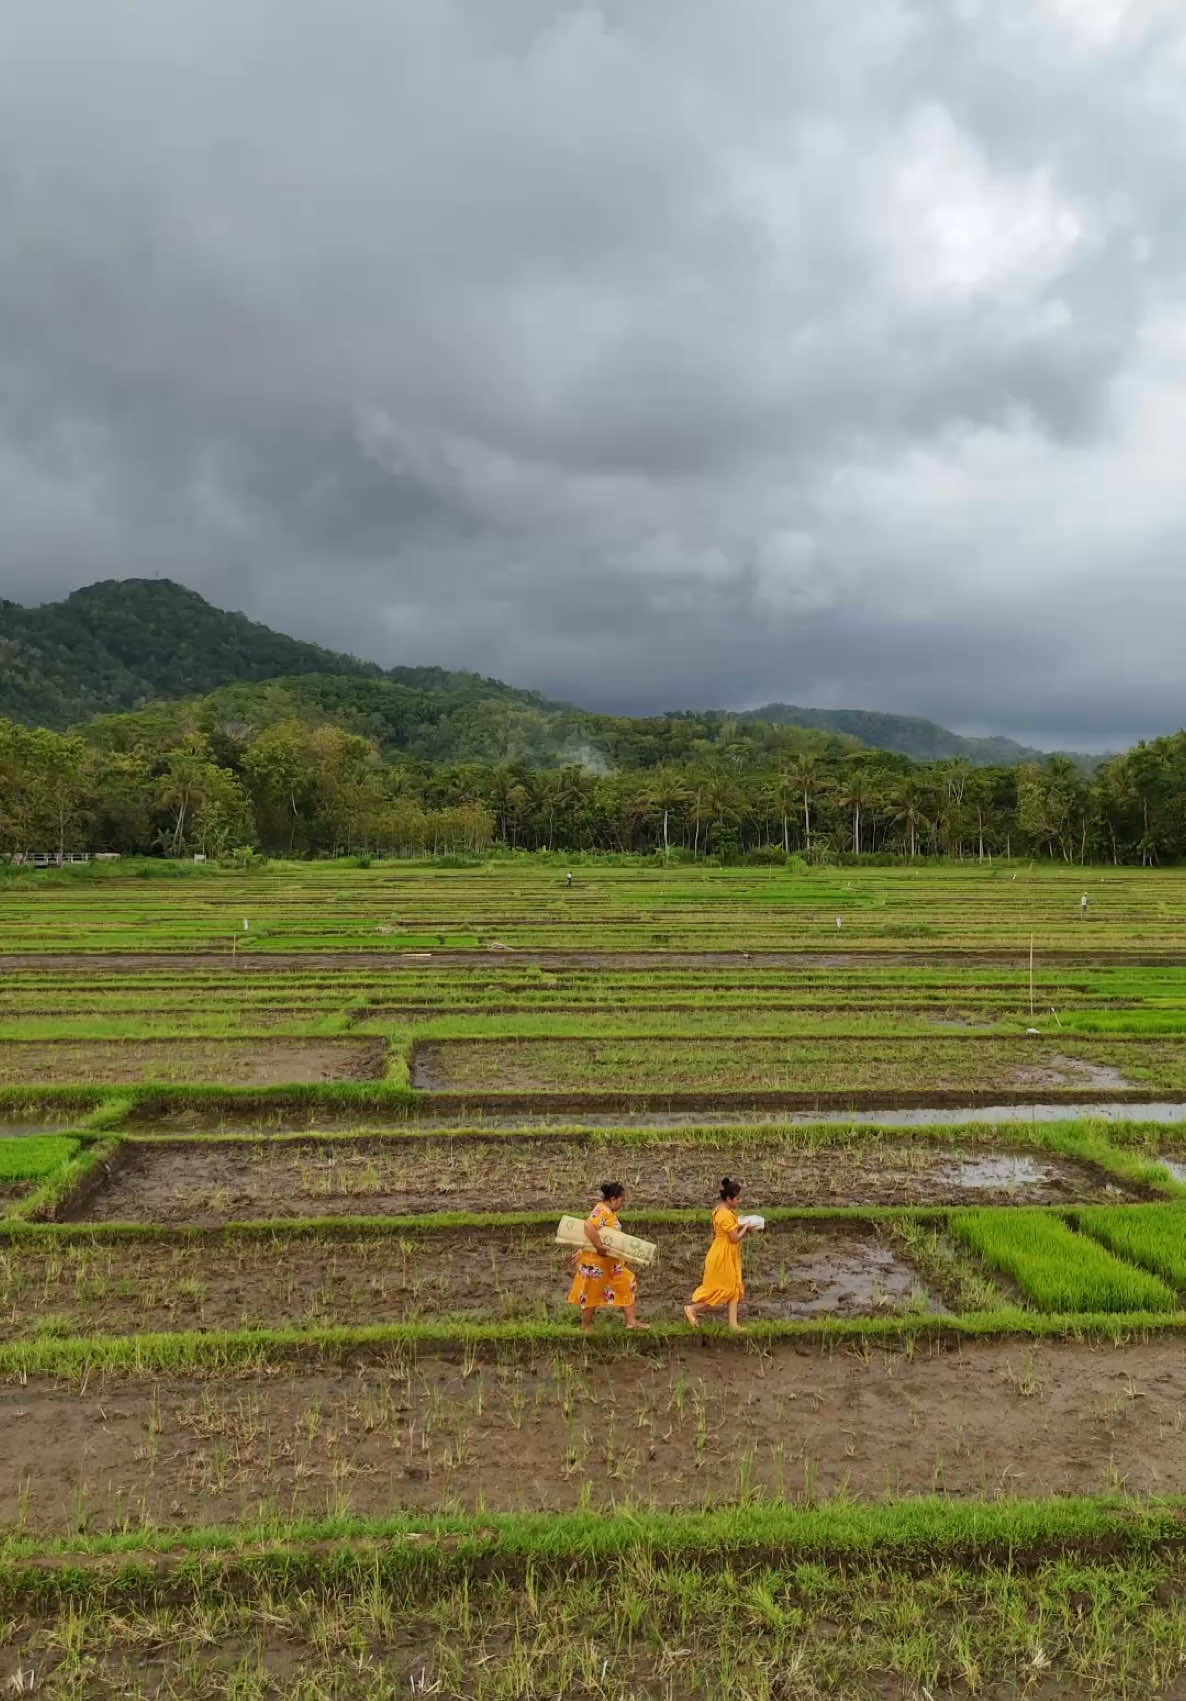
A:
(806, 1064)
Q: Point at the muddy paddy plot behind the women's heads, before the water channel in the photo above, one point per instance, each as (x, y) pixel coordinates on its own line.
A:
(217, 1181)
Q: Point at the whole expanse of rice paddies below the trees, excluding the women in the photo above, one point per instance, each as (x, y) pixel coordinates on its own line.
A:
(292, 1399)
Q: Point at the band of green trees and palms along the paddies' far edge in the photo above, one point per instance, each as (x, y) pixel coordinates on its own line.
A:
(294, 788)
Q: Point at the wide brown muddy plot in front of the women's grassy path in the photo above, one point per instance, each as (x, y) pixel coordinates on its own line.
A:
(659, 1426)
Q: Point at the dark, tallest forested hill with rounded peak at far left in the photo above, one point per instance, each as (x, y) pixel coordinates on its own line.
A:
(123, 644)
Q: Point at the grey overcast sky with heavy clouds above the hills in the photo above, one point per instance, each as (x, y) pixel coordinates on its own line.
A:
(654, 353)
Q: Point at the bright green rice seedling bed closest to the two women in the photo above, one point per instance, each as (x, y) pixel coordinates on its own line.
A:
(1056, 1268)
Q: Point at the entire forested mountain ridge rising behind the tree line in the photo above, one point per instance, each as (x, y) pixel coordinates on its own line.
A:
(120, 646)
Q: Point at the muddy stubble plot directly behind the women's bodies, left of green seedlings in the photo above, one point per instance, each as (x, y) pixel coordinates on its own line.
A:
(792, 1271)
